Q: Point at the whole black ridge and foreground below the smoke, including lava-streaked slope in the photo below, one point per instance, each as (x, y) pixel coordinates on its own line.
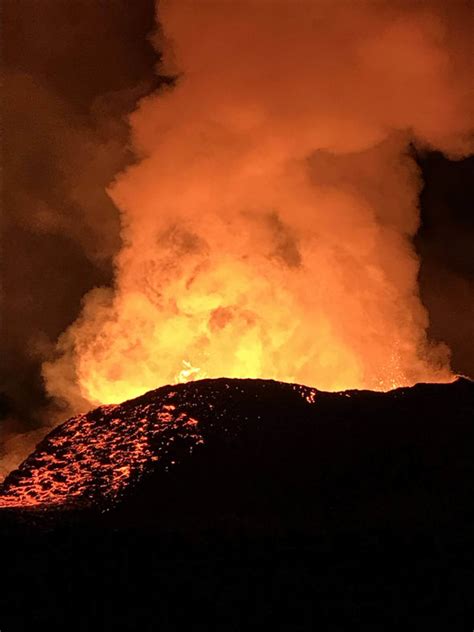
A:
(239, 502)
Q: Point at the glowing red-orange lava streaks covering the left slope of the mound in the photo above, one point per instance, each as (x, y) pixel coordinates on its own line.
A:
(93, 458)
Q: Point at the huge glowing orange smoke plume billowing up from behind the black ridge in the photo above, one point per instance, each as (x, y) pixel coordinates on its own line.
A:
(267, 224)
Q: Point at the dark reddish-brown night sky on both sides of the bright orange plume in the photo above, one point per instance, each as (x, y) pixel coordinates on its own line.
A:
(73, 70)
